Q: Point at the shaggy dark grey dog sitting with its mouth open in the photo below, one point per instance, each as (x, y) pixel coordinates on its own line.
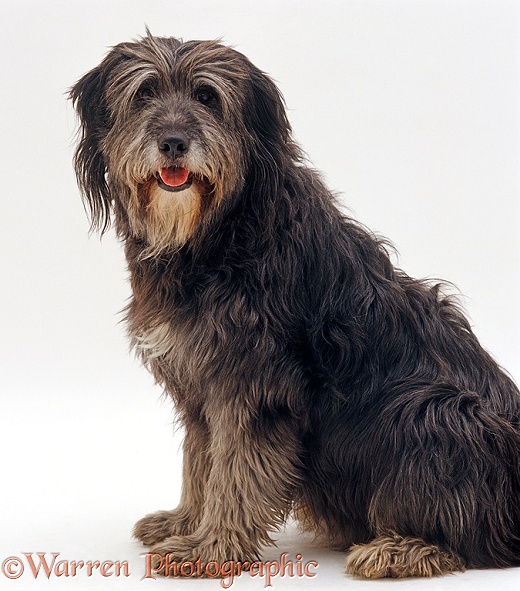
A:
(312, 377)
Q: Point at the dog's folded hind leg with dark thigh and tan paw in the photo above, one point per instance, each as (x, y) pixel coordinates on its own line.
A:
(446, 481)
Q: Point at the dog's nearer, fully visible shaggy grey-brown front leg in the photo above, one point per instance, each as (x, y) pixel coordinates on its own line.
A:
(254, 473)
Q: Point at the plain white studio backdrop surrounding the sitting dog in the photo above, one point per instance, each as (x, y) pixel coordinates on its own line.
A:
(411, 110)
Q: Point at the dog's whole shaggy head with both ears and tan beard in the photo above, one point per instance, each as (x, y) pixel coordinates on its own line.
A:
(168, 131)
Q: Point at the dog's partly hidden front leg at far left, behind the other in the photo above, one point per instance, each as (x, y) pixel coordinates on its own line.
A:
(185, 519)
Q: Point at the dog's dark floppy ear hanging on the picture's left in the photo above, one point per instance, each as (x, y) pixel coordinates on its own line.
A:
(87, 98)
